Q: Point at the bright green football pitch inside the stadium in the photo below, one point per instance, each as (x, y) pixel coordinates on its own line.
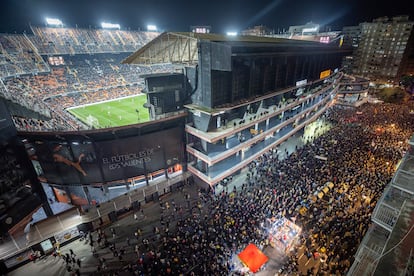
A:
(118, 112)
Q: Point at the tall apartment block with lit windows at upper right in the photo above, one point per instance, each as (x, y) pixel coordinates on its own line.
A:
(382, 52)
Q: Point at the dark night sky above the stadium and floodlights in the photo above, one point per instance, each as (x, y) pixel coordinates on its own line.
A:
(179, 15)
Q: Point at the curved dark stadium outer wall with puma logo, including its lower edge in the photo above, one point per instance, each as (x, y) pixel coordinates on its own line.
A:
(75, 161)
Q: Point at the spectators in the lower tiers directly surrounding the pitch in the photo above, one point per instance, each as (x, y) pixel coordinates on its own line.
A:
(80, 80)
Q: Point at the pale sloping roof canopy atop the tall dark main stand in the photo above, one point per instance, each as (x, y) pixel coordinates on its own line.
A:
(181, 47)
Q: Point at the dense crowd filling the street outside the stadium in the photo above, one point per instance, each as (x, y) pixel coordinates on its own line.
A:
(362, 150)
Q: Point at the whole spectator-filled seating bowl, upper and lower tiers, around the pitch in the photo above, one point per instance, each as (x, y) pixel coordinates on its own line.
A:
(58, 68)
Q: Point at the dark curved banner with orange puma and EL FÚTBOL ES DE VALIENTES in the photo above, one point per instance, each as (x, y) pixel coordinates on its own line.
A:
(86, 162)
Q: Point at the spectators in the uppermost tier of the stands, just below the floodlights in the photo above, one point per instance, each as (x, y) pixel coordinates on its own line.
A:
(20, 54)
